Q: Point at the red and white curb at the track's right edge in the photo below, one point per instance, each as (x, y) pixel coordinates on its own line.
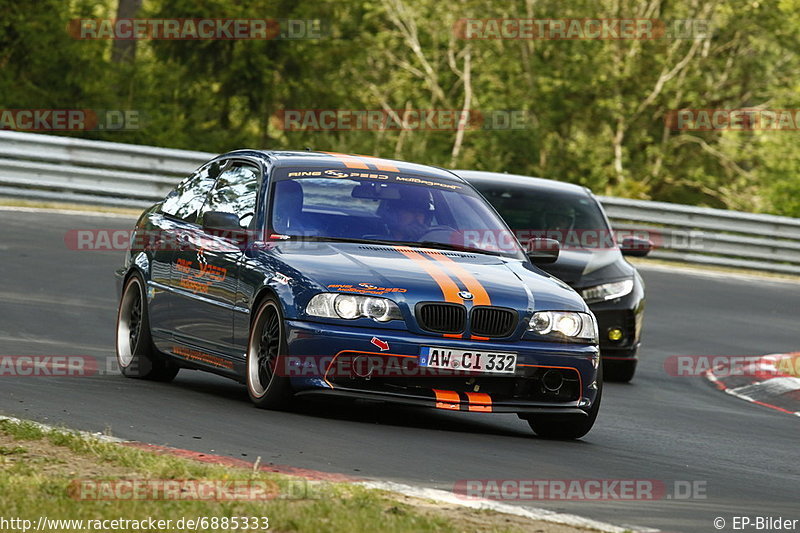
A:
(770, 381)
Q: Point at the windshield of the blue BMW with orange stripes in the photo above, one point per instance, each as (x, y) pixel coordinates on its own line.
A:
(387, 208)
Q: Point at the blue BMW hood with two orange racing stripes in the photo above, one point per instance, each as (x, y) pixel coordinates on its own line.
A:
(414, 275)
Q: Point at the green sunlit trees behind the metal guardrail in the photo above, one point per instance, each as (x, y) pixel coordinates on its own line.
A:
(595, 109)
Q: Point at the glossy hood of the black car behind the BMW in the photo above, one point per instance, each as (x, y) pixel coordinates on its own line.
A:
(586, 267)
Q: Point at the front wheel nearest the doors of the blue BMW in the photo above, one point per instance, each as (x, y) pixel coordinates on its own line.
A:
(267, 388)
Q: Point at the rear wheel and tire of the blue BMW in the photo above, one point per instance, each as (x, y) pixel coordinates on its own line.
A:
(136, 355)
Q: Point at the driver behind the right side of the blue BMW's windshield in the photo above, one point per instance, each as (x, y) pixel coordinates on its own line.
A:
(409, 217)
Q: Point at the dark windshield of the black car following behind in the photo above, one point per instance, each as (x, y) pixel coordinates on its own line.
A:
(573, 219)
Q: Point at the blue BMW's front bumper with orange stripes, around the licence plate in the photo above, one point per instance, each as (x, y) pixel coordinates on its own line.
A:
(380, 364)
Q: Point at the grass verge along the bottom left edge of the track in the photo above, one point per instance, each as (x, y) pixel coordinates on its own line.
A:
(40, 469)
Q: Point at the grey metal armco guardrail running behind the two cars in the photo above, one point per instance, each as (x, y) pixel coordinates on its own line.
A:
(49, 167)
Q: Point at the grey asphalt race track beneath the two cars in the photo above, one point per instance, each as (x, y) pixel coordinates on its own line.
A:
(56, 301)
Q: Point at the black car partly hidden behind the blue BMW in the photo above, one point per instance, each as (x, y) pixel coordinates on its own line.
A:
(590, 259)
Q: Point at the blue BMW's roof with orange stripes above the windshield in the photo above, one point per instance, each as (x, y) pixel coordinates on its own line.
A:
(340, 161)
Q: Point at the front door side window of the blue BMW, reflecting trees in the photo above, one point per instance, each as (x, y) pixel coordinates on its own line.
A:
(235, 192)
